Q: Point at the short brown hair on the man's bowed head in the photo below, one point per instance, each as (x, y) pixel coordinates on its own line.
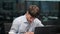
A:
(33, 10)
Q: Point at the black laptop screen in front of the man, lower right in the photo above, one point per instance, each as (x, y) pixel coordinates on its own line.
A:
(45, 30)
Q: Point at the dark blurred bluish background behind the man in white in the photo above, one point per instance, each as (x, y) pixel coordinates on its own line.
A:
(10, 9)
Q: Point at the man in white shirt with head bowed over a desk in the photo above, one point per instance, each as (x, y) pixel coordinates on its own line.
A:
(26, 24)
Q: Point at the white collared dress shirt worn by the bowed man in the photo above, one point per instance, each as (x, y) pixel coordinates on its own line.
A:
(21, 25)
